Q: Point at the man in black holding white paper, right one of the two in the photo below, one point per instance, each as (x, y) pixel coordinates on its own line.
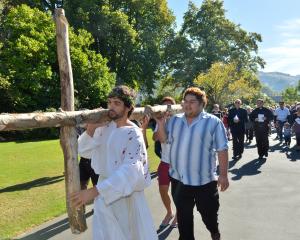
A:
(261, 118)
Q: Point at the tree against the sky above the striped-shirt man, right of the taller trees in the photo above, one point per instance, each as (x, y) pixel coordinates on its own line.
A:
(207, 37)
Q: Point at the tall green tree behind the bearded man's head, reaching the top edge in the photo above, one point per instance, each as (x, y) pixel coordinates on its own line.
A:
(130, 34)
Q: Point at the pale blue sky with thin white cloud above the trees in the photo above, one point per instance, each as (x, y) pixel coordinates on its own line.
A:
(278, 21)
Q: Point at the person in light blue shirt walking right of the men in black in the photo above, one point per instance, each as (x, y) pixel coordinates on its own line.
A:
(281, 115)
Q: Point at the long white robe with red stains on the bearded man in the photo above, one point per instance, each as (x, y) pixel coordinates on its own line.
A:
(119, 156)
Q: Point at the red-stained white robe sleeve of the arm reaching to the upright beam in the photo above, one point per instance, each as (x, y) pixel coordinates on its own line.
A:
(133, 173)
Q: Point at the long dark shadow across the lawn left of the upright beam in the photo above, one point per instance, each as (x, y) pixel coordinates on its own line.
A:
(35, 183)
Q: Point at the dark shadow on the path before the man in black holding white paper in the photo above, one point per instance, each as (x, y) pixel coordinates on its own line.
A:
(249, 169)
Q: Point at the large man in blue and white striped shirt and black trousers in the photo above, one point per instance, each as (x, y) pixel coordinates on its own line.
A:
(193, 139)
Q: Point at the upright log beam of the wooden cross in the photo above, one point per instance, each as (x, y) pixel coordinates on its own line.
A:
(68, 136)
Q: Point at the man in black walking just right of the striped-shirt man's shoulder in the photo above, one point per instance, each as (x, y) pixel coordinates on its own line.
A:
(237, 118)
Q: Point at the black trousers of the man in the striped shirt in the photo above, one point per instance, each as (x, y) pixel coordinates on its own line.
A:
(206, 199)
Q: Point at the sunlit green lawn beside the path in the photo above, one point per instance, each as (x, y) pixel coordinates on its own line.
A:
(32, 188)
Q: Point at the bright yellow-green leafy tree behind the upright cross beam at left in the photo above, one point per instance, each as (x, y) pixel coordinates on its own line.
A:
(29, 69)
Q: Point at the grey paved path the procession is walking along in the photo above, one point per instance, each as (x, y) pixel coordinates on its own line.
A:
(262, 203)
